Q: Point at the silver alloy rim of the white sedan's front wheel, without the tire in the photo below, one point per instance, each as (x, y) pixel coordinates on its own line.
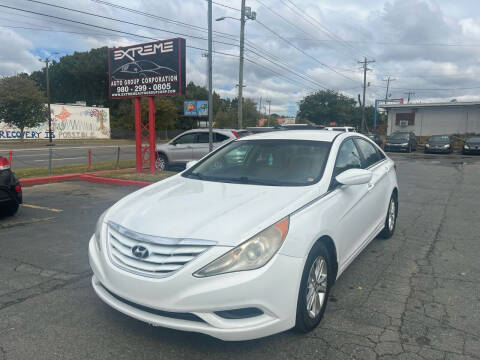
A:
(316, 287)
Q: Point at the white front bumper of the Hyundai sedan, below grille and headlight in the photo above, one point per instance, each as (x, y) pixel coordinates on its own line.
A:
(184, 302)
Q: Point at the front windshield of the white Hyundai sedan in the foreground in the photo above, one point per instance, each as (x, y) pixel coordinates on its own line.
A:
(265, 162)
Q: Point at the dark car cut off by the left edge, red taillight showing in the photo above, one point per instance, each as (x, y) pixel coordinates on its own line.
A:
(10, 189)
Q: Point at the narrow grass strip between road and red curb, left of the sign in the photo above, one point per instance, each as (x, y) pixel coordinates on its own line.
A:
(72, 169)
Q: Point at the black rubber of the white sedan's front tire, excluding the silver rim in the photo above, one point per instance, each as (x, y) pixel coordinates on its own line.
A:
(304, 323)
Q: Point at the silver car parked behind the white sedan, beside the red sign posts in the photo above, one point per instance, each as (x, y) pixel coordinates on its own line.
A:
(191, 145)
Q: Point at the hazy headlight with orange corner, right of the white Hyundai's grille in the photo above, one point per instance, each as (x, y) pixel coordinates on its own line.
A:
(252, 254)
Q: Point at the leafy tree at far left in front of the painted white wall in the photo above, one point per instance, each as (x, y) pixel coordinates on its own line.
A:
(22, 103)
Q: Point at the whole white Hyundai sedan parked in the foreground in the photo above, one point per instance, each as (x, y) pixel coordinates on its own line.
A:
(248, 241)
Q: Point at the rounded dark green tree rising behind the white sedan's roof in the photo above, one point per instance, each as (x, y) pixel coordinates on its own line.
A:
(327, 106)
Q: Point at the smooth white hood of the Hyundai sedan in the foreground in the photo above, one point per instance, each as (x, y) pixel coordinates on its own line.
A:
(194, 209)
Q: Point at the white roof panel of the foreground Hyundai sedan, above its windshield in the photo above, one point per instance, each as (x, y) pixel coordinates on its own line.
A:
(316, 135)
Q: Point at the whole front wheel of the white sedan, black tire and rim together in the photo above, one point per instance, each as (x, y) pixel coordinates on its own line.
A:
(308, 317)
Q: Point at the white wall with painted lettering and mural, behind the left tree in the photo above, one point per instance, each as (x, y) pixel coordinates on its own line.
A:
(68, 122)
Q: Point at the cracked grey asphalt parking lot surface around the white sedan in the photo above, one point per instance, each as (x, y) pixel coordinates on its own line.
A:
(414, 296)
